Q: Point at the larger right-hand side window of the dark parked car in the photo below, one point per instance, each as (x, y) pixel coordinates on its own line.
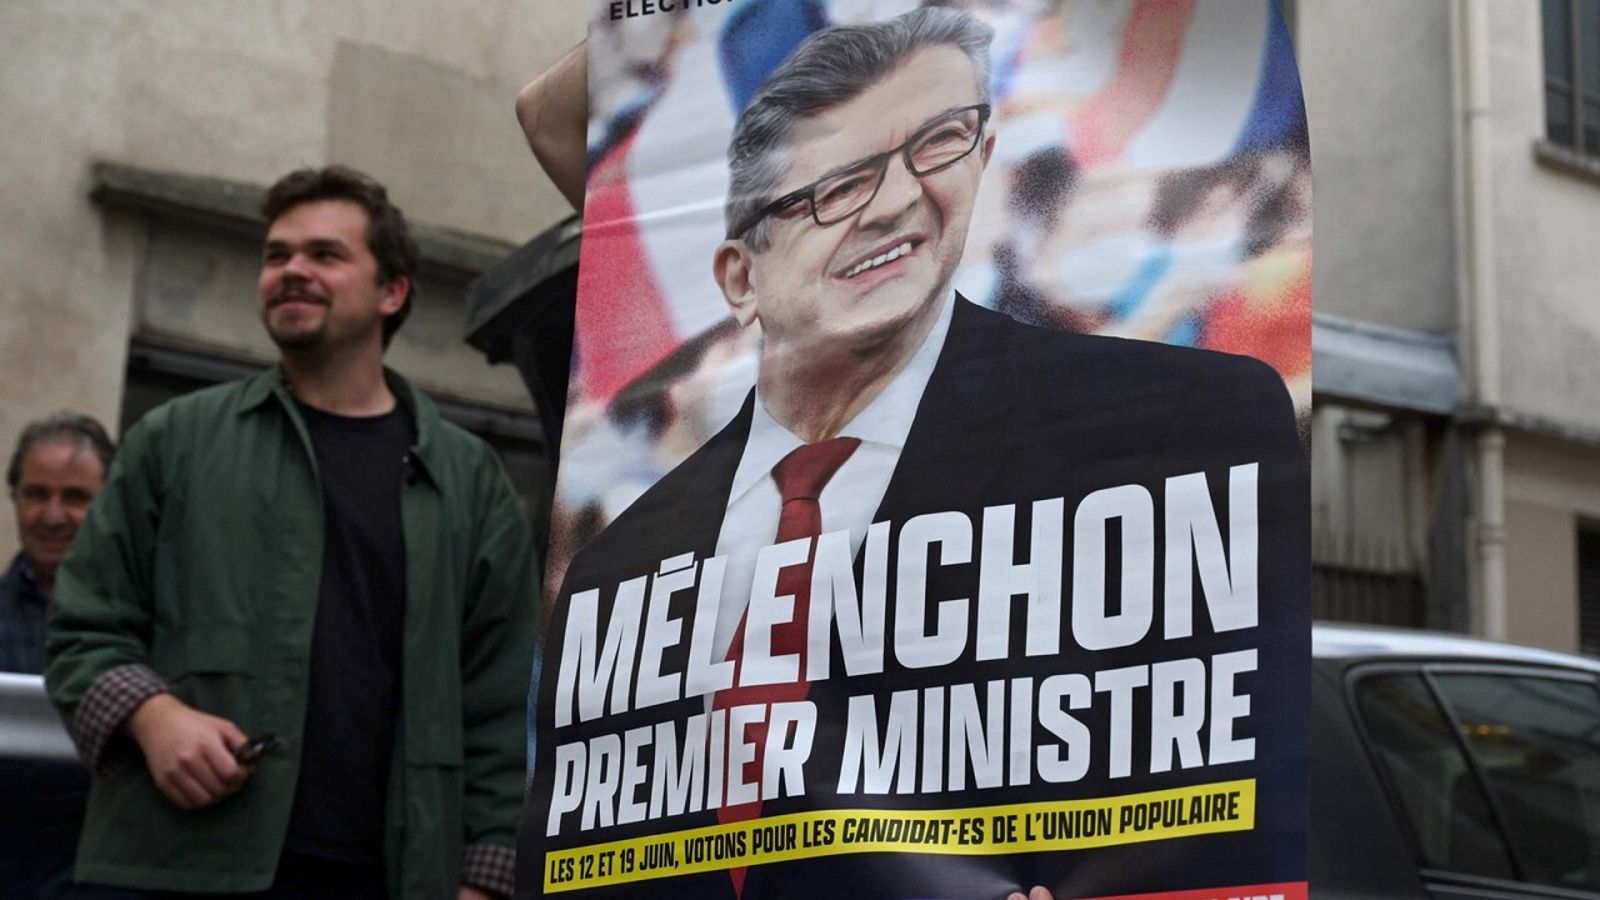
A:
(1537, 744)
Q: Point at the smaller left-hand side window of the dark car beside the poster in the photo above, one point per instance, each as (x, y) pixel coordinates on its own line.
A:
(1428, 773)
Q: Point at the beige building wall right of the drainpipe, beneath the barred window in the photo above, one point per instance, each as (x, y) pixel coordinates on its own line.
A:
(1550, 335)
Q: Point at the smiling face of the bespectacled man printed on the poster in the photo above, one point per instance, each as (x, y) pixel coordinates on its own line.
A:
(881, 273)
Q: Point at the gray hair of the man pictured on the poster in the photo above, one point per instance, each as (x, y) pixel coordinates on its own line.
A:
(828, 70)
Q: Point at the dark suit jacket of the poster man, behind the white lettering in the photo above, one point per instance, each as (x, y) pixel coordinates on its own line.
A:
(1012, 414)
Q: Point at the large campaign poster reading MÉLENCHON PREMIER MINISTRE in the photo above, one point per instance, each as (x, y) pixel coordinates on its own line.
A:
(934, 518)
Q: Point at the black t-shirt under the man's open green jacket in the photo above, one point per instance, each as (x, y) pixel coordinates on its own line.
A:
(353, 701)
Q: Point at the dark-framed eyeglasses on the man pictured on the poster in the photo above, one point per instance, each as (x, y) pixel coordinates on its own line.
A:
(942, 143)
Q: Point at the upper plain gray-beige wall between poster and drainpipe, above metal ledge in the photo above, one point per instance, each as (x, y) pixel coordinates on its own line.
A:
(1377, 82)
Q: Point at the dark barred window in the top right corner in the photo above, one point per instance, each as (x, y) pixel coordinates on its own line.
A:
(1572, 74)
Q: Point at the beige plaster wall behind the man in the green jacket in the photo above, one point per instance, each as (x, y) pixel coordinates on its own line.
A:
(417, 94)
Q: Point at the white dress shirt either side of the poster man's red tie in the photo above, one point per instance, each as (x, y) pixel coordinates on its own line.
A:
(850, 497)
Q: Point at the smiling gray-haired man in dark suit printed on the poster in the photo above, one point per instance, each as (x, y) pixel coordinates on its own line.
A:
(954, 606)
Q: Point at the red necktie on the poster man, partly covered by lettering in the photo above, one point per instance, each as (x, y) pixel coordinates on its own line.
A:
(801, 480)
